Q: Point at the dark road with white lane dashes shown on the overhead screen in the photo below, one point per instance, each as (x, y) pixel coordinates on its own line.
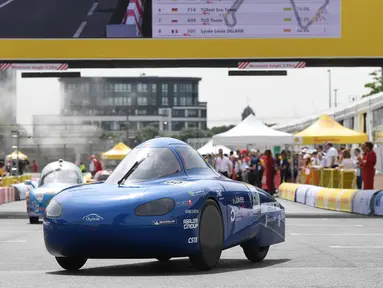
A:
(55, 18)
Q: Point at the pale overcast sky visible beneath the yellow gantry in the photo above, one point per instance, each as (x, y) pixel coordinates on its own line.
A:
(274, 99)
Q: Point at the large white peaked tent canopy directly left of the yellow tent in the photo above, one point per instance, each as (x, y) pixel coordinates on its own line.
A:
(252, 131)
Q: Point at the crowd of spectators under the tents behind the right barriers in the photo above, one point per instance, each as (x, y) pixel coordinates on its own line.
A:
(266, 171)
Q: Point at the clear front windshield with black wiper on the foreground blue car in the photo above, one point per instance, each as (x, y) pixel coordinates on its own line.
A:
(157, 163)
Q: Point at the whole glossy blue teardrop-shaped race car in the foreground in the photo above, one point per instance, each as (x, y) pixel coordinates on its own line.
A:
(162, 201)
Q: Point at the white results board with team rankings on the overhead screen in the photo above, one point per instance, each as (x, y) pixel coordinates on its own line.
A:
(246, 19)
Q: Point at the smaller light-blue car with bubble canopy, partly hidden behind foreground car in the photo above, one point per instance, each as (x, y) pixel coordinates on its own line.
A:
(54, 177)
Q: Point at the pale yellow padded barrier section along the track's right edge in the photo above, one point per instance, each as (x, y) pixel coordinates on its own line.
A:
(335, 199)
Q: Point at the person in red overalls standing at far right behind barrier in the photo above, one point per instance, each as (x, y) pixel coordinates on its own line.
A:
(368, 166)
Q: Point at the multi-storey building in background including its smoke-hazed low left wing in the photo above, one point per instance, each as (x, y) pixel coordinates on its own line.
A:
(96, 113)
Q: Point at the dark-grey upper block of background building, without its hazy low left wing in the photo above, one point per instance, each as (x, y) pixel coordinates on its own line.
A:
(131, 103)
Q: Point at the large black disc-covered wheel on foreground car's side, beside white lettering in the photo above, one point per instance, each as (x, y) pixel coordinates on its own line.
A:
(210, 237)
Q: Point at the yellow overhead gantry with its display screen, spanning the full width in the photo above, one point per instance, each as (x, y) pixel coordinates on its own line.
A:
(240, 30)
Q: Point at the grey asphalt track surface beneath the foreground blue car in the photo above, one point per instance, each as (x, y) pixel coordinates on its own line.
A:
(319, 252)
